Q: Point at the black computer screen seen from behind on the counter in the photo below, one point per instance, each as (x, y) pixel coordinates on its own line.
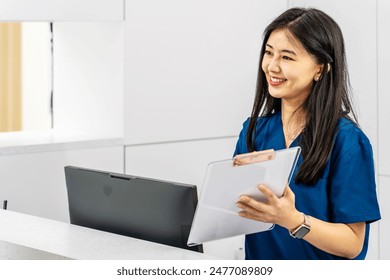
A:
(144, 208)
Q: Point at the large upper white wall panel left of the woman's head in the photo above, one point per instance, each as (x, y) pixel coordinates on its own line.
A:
(191, 66)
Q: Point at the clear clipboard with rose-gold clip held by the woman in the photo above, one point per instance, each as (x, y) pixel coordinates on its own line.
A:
(216, 216)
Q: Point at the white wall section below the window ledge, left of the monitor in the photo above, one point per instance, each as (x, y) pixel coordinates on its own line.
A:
(35, 183)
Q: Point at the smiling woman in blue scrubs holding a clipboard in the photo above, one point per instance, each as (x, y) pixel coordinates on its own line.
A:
(303, 99)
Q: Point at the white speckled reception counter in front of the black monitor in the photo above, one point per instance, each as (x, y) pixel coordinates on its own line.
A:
(29, 237)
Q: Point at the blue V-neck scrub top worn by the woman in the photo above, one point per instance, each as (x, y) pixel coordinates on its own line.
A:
(345, 193)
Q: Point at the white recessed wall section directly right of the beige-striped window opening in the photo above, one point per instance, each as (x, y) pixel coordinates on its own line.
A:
(88, 77)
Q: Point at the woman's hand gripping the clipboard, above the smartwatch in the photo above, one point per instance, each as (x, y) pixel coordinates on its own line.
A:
(274, 210)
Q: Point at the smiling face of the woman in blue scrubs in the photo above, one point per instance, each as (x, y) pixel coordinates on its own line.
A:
(290, 70)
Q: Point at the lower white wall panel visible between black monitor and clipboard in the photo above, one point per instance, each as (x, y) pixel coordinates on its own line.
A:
(184, 162)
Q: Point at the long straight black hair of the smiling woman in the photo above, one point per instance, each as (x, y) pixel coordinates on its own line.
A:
(329, 99)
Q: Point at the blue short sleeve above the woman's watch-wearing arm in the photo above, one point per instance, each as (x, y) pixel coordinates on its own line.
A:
(352, 179)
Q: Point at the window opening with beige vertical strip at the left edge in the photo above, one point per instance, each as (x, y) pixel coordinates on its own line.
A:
(25, 76)
